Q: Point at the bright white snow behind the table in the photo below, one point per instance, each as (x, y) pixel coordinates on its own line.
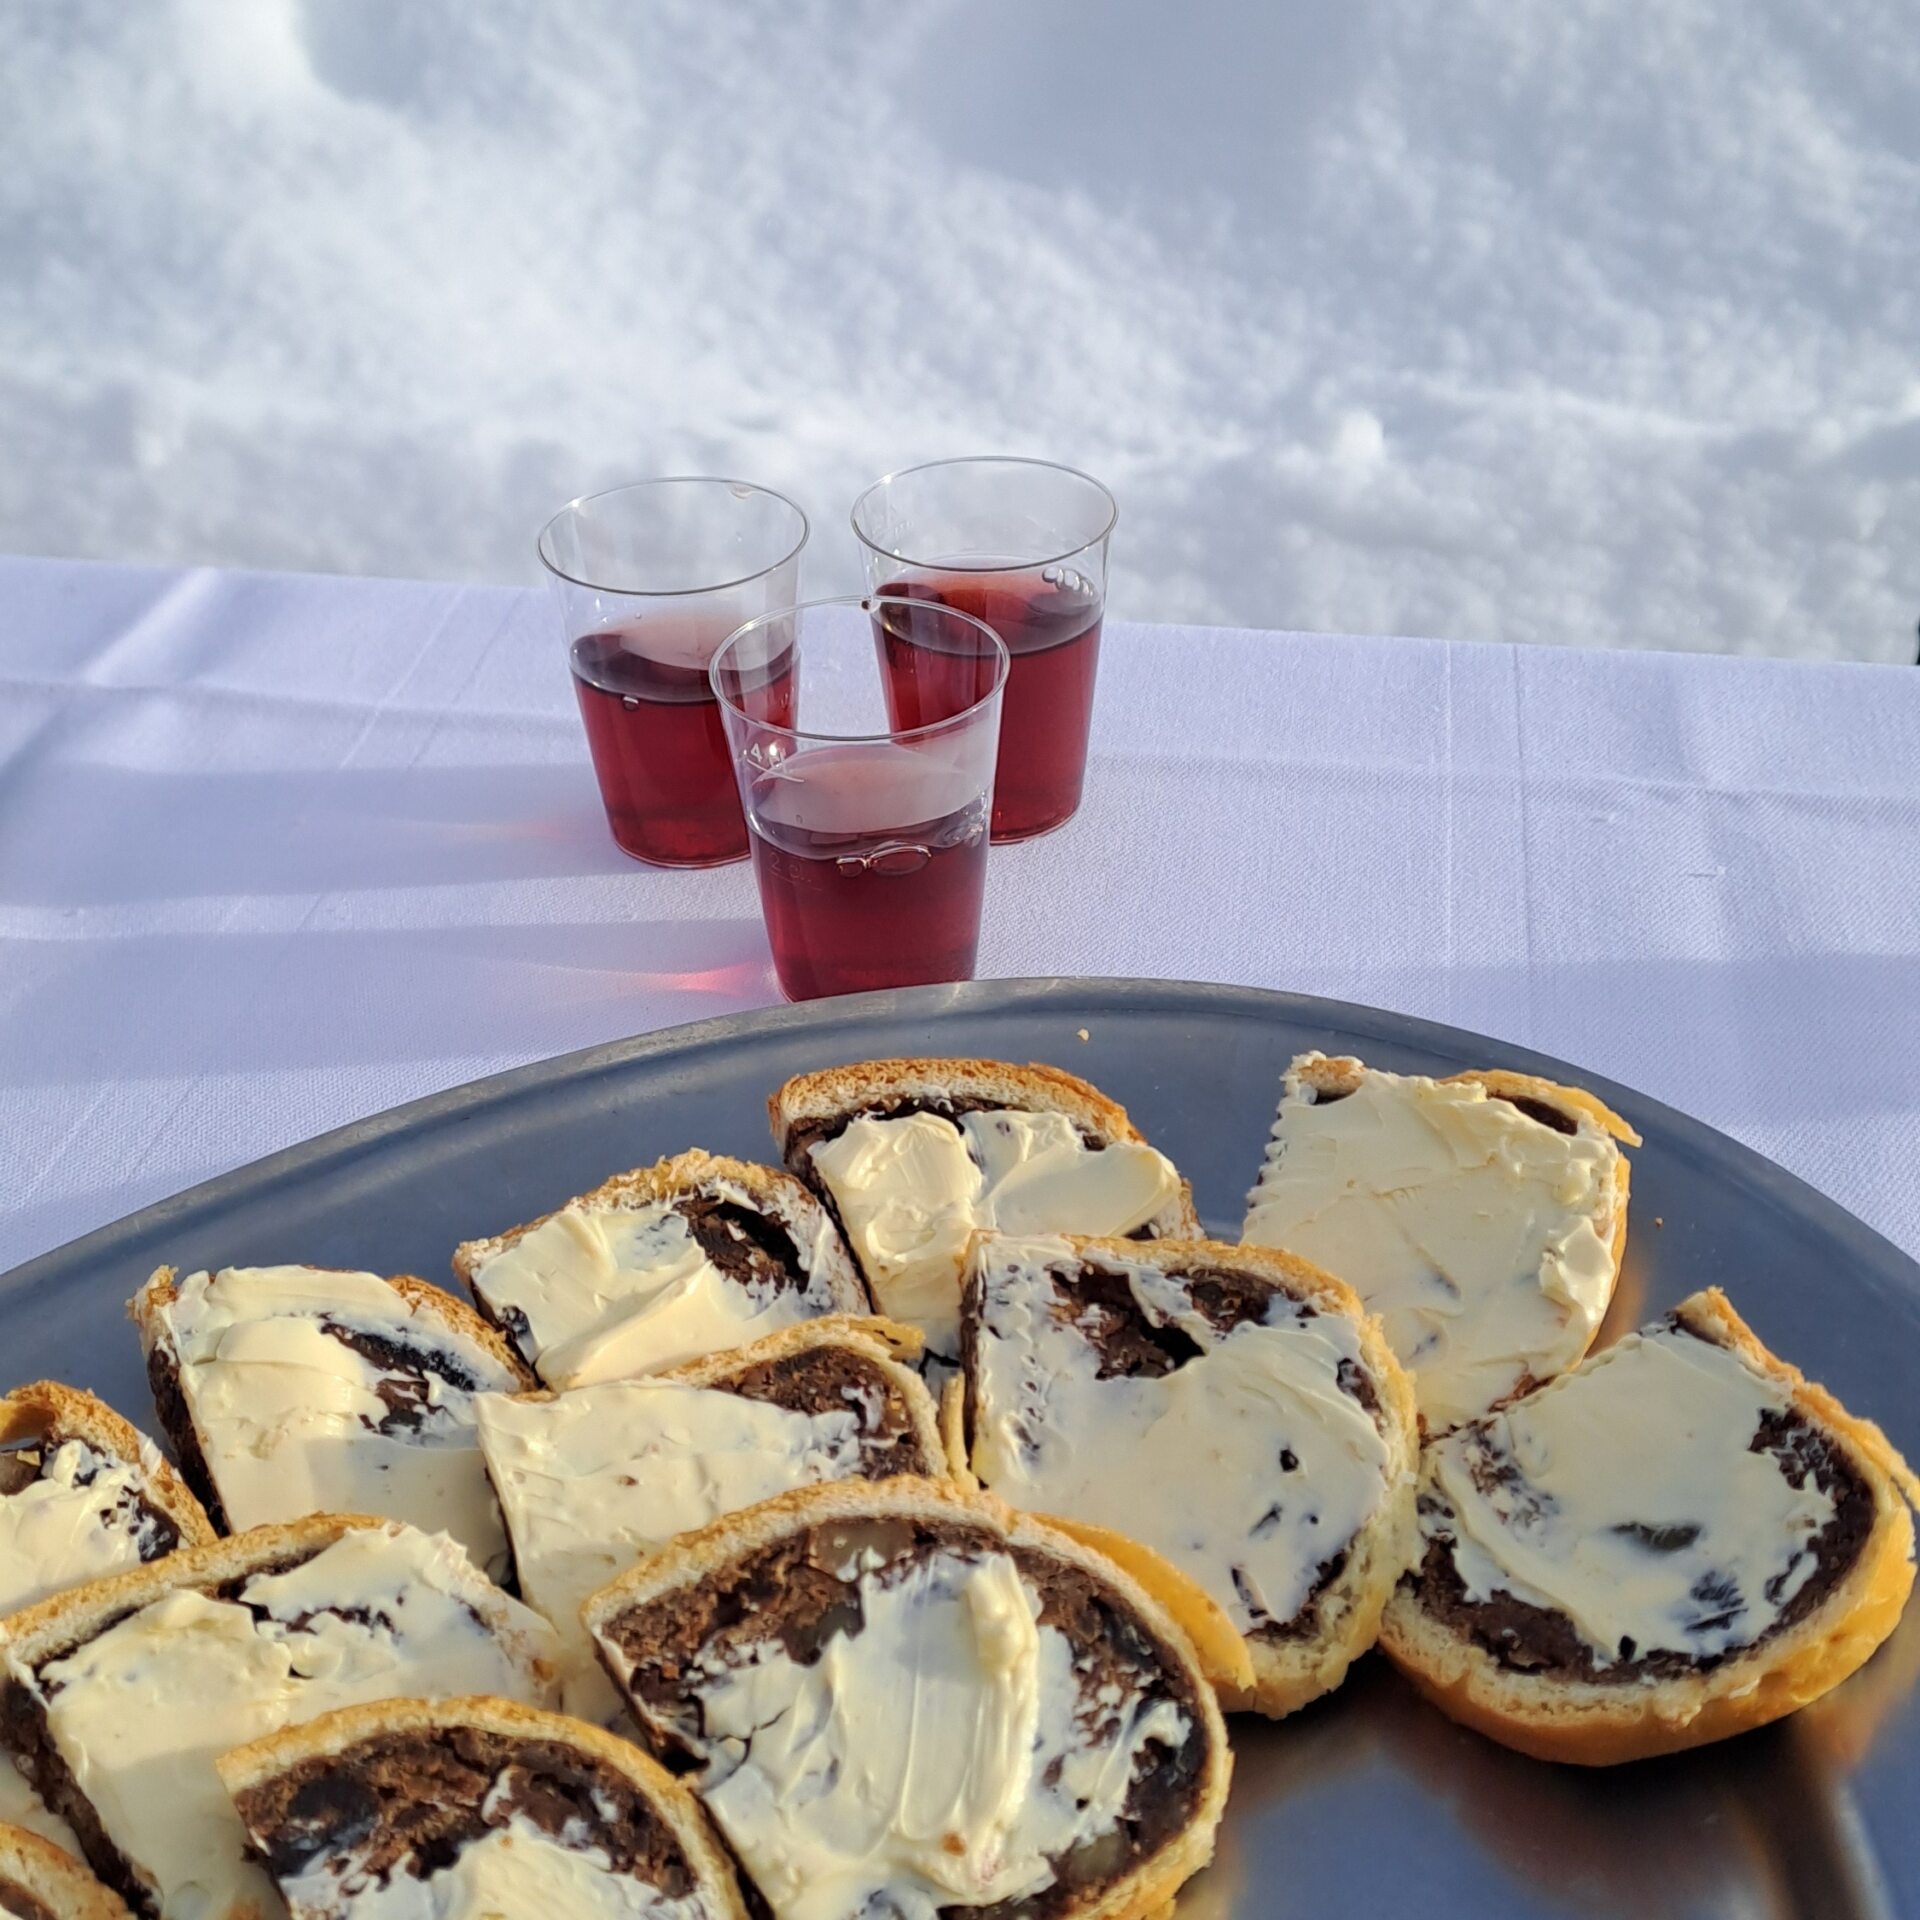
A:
(1508, 320)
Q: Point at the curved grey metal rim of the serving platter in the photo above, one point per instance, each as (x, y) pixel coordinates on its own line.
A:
(1735, 1161)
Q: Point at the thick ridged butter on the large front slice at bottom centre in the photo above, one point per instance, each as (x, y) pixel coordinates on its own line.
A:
(942, 1756)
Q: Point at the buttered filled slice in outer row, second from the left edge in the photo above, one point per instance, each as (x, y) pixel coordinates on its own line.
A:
(293, 1391)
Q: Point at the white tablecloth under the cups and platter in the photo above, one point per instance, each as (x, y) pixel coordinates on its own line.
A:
(283, 852)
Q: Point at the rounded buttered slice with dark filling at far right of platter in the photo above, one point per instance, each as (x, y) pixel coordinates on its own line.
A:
(1677, 1541)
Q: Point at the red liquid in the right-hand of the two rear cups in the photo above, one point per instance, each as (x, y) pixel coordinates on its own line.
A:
(1053, 633)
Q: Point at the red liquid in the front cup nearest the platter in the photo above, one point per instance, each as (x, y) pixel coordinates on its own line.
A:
(853, 901)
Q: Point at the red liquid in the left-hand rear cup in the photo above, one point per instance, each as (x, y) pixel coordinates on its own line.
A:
(660, 750)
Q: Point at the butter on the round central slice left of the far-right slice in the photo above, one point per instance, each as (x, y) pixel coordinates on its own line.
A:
(1247, 1466)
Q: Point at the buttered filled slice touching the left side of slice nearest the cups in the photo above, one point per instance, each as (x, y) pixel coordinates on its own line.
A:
(661, 1266)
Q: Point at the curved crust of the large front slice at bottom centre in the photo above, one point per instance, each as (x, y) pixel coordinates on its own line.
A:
(698, 1556)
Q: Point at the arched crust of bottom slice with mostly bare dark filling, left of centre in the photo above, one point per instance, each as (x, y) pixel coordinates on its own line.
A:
(339, 1733)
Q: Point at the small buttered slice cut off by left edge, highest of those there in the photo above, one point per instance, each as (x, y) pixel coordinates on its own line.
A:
(82, 1497)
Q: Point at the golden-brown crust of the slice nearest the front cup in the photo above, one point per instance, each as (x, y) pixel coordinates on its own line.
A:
(1034, 1090)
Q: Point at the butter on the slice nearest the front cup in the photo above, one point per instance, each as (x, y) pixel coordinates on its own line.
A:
(913, 1191)
